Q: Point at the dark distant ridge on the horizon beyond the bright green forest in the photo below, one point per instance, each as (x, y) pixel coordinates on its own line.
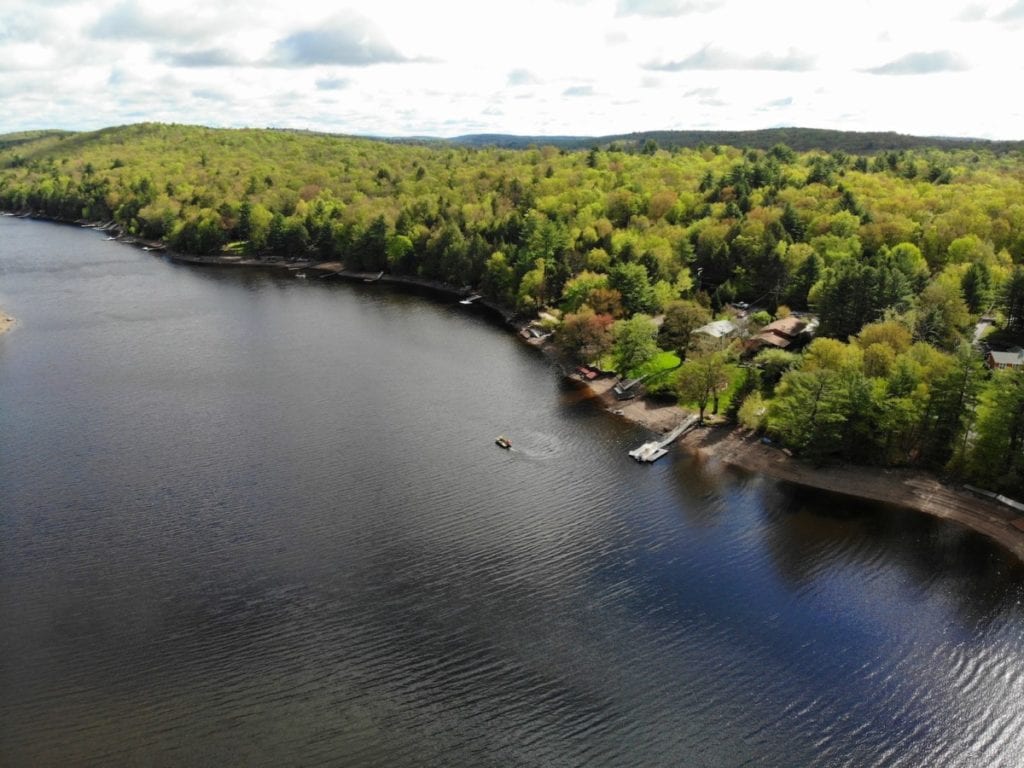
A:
(801, 140)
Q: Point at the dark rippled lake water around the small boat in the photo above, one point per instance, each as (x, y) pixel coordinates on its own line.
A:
(247, 520)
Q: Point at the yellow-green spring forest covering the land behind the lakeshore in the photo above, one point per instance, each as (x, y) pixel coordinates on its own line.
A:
(627, 247)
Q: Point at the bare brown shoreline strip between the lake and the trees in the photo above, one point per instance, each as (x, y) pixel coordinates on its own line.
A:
(733, 446)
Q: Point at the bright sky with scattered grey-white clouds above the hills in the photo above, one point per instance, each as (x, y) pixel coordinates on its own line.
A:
(553, 67)
